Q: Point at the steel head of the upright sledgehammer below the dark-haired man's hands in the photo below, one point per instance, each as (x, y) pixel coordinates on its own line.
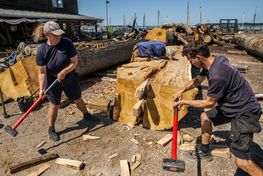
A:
(173, 165)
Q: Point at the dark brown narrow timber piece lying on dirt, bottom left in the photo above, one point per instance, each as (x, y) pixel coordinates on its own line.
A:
(32, 162)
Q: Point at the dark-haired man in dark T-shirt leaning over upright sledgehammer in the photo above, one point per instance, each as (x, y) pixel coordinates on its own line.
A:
(236, 103)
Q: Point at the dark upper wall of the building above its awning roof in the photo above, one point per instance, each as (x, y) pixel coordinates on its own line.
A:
(70, 6)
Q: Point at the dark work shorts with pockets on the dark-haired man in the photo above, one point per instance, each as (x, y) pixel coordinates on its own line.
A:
(242, 130)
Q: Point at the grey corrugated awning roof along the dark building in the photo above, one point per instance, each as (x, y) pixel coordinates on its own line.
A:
(8, 13)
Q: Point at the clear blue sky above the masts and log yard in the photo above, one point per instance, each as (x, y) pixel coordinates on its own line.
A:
(172, 11)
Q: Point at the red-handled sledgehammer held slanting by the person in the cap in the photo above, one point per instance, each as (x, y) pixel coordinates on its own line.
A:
(12, 130)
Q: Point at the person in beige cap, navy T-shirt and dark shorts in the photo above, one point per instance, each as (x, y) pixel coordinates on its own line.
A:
(57, 59)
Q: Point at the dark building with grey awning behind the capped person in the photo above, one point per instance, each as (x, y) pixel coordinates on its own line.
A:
(18, 18)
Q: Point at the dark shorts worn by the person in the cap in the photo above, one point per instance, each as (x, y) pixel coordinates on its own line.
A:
(70, 85)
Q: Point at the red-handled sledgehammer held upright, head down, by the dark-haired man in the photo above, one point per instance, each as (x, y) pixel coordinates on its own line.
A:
(172, 164)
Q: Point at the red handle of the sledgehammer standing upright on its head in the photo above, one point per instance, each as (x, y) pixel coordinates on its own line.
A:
(174, 139)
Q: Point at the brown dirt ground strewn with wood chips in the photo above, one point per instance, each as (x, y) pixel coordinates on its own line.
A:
(115, 137)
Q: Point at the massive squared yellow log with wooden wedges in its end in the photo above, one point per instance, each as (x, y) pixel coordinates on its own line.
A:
(145, 92)
